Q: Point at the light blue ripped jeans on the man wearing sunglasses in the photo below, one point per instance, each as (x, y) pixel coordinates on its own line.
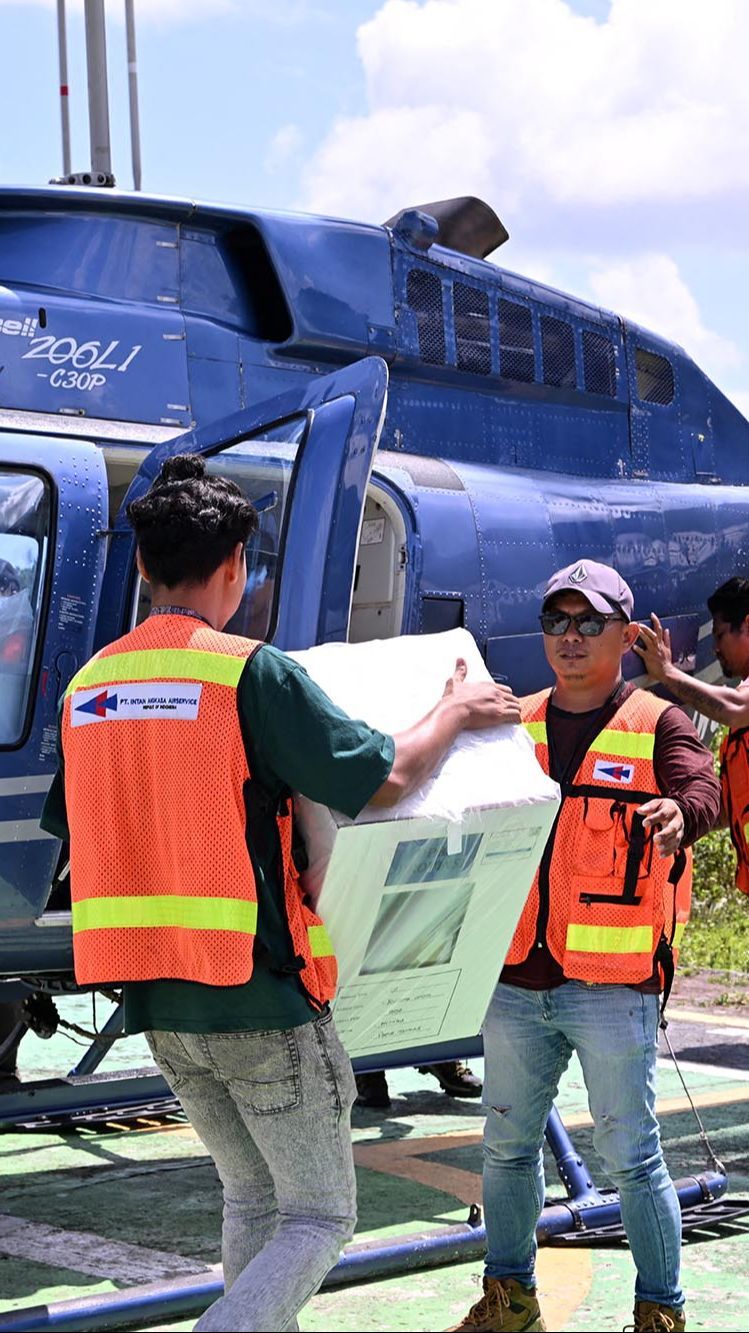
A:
(528, 1040)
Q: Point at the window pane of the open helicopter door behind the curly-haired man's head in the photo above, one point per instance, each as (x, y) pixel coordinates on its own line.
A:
(263, 469)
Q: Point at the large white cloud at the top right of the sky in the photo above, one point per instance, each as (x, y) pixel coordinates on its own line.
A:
(543, 109)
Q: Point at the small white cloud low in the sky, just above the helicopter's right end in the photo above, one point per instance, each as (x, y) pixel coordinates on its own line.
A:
(651, 291)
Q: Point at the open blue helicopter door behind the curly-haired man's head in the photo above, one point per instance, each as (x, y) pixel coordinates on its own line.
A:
(305, 461)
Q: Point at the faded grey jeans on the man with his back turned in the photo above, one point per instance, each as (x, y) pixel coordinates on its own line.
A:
(274, 1111)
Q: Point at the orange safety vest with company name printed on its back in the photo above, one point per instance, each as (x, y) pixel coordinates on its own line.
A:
(157, 775)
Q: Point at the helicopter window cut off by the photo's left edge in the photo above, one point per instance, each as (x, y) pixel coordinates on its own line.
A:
(25, 535)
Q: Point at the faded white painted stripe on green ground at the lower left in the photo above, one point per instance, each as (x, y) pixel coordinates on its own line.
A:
(83, 1252)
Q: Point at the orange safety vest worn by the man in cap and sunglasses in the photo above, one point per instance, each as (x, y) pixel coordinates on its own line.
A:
(603, 899)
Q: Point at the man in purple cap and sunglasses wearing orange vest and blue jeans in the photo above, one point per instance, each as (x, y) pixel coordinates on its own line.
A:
(594, 948)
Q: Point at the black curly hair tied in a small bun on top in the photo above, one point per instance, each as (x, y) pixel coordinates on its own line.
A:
(190, 522)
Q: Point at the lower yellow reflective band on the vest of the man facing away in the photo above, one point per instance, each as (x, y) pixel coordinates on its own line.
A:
(166, 910)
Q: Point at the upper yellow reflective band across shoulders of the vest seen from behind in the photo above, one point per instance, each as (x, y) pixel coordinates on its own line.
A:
(159, 665)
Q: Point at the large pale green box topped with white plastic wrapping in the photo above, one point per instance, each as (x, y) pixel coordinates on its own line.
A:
(422, 900)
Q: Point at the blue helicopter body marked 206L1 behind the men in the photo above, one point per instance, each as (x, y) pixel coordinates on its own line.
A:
(427, 437)
